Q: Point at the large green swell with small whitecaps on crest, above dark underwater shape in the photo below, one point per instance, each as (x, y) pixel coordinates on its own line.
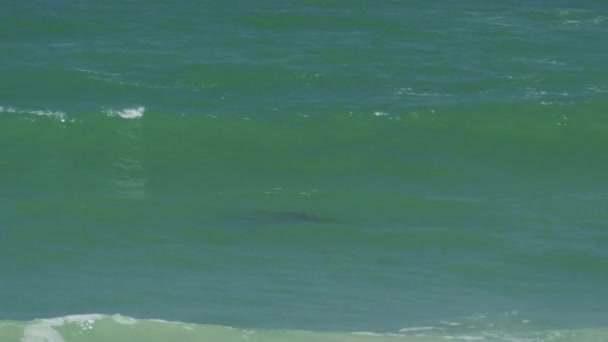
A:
(519, 142)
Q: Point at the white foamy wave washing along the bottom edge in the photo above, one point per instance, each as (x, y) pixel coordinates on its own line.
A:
(98, 327)
